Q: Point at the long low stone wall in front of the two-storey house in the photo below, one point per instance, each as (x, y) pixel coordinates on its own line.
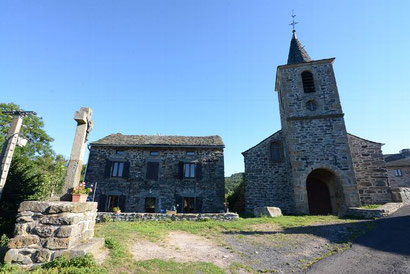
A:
(131, 217)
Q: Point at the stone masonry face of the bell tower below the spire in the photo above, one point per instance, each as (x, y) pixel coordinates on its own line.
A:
(316, 138)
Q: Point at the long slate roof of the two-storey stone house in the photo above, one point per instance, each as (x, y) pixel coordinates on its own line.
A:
(119, 139)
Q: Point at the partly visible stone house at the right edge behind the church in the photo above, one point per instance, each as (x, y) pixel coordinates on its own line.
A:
(398, 168)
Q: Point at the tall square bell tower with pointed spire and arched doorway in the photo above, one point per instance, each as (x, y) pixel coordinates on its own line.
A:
(315, 135)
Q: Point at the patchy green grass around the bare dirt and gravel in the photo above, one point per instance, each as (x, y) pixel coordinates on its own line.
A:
(121, 235)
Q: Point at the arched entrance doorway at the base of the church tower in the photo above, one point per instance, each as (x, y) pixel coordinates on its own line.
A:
(324, 192)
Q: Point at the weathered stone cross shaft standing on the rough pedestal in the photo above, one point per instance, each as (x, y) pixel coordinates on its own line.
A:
(84, 126)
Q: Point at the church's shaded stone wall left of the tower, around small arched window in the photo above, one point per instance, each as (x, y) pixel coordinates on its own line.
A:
(267, 183)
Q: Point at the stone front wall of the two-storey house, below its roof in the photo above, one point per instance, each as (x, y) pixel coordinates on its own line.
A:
(207, 189)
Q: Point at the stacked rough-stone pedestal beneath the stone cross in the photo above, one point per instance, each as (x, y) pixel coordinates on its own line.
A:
(46, 230)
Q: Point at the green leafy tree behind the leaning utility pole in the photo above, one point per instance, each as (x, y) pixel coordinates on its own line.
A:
(36, 172)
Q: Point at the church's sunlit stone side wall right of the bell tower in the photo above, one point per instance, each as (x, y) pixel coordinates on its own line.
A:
(370, 171)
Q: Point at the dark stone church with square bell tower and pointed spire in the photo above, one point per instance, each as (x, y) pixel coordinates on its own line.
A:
(312, 165)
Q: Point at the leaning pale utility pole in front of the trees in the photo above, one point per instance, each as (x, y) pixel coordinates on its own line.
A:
(12, 140)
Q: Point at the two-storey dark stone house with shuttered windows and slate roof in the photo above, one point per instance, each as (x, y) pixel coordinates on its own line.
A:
(141, 173)
